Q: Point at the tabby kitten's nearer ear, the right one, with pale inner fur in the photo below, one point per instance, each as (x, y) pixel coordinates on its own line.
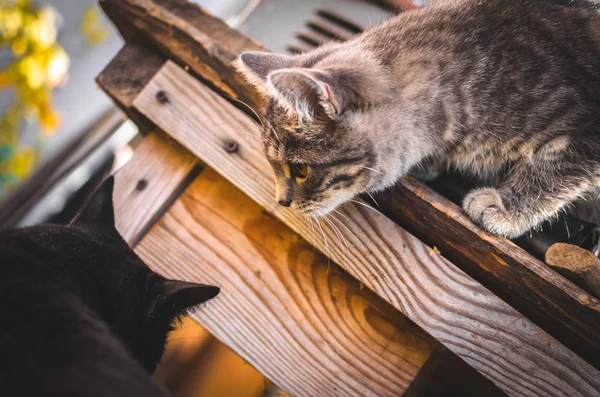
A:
(307, 92)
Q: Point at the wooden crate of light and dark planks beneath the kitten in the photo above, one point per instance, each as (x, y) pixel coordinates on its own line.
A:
(197, 202)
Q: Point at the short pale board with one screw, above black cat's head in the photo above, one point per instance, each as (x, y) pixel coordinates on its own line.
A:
(145, 187)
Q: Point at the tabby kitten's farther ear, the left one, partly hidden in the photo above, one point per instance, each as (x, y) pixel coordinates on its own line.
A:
(255, 66)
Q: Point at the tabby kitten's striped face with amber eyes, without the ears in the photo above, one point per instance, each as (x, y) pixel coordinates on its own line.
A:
(318, 164)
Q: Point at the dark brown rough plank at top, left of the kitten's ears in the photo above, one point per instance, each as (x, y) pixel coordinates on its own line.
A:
(185, 33)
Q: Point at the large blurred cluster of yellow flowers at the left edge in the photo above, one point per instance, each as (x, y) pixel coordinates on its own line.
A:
(40, 64)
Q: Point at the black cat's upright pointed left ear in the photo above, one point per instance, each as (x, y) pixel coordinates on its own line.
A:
(99, 207)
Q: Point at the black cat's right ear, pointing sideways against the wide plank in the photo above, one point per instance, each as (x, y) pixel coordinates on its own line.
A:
(178, 296)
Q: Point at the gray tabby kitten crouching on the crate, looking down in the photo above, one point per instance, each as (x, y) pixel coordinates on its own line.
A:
(507, 90)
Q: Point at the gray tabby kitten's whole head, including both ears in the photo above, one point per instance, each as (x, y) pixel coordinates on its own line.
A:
(317, 129)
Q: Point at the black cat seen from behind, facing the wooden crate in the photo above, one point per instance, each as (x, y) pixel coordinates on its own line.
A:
(81, 314)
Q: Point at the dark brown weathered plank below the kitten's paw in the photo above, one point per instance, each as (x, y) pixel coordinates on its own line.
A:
(554, 303)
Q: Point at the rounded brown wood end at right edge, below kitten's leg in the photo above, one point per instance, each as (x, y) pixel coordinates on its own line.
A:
(577, 264)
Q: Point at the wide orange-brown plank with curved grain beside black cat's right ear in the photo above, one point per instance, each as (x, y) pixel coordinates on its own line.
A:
(301, 321)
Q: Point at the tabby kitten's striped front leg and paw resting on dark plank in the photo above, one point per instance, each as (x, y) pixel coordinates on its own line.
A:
(528, 197)
